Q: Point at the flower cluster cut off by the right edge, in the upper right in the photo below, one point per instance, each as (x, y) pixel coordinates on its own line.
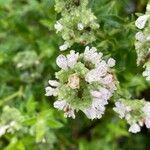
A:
(142, 37)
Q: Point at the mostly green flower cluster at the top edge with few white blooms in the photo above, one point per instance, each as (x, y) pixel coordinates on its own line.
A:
(77, 23)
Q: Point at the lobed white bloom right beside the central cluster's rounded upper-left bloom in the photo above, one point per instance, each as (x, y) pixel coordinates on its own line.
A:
(72, 58)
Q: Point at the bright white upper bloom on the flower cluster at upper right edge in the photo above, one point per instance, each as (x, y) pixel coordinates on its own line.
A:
(141, 21)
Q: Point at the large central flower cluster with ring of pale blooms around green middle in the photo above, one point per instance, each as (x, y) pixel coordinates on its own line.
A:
(85, 82)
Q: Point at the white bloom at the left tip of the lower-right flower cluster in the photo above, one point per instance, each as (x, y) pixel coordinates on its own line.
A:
(121, 109)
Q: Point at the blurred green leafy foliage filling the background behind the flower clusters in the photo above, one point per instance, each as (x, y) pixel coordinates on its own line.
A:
(28, 48)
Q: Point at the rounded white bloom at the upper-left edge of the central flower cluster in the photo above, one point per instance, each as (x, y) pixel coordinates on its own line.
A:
(61, 61)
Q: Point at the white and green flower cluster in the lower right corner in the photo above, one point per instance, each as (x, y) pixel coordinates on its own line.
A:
(136, 113)
